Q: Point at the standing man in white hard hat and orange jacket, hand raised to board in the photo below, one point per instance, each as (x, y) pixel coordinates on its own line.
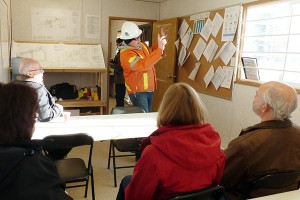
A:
(138, 61)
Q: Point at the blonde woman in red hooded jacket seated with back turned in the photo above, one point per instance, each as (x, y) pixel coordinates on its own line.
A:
(182, 155)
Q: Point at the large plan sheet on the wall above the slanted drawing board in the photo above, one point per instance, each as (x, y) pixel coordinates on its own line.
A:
(55, 24)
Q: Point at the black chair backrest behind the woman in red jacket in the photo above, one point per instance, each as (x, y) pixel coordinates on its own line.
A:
(212, 193)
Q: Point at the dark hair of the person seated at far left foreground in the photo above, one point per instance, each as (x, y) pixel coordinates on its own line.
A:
(18, 108)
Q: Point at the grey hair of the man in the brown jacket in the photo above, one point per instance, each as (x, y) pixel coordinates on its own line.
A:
(281, 103)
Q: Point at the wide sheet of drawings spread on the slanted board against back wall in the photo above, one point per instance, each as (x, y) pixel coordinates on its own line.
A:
(61, 55)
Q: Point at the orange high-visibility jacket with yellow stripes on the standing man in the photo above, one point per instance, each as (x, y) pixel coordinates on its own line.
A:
(138, 68)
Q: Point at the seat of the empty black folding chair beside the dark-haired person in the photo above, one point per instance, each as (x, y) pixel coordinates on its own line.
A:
(72, 169)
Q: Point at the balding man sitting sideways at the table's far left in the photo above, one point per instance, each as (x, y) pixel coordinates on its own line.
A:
(31, 73)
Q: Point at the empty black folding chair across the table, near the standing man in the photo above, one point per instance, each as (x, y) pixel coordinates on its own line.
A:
(123, 145)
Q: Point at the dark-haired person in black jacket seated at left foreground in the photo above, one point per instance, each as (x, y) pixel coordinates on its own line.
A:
(26, 173)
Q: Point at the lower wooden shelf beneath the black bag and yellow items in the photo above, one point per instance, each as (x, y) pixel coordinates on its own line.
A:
(81, 103)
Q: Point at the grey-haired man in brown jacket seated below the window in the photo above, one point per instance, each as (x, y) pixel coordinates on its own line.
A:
(270, 146)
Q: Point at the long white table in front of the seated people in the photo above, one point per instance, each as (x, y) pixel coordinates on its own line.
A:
(100, 127)
